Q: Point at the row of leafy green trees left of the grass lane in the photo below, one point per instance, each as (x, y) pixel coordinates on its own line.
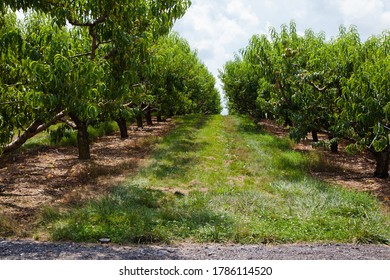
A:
(92, 60)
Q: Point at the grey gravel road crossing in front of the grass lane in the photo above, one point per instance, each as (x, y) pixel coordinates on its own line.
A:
(31, 250)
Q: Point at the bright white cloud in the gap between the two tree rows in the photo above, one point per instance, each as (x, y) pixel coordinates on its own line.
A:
(215, 29)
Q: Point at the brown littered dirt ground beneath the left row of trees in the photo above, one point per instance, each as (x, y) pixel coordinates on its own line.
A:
(47, 176)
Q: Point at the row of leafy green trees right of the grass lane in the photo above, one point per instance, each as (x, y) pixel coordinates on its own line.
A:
(338, 86)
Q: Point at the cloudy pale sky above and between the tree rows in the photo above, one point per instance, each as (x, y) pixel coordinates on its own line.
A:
(218, 29)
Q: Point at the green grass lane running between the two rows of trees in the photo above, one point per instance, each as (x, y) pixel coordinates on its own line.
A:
(221, 179)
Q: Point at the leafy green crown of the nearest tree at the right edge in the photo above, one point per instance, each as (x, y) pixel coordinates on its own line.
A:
(367, 96)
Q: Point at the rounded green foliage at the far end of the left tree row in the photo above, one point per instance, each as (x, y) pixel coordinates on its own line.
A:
(180, 82)
